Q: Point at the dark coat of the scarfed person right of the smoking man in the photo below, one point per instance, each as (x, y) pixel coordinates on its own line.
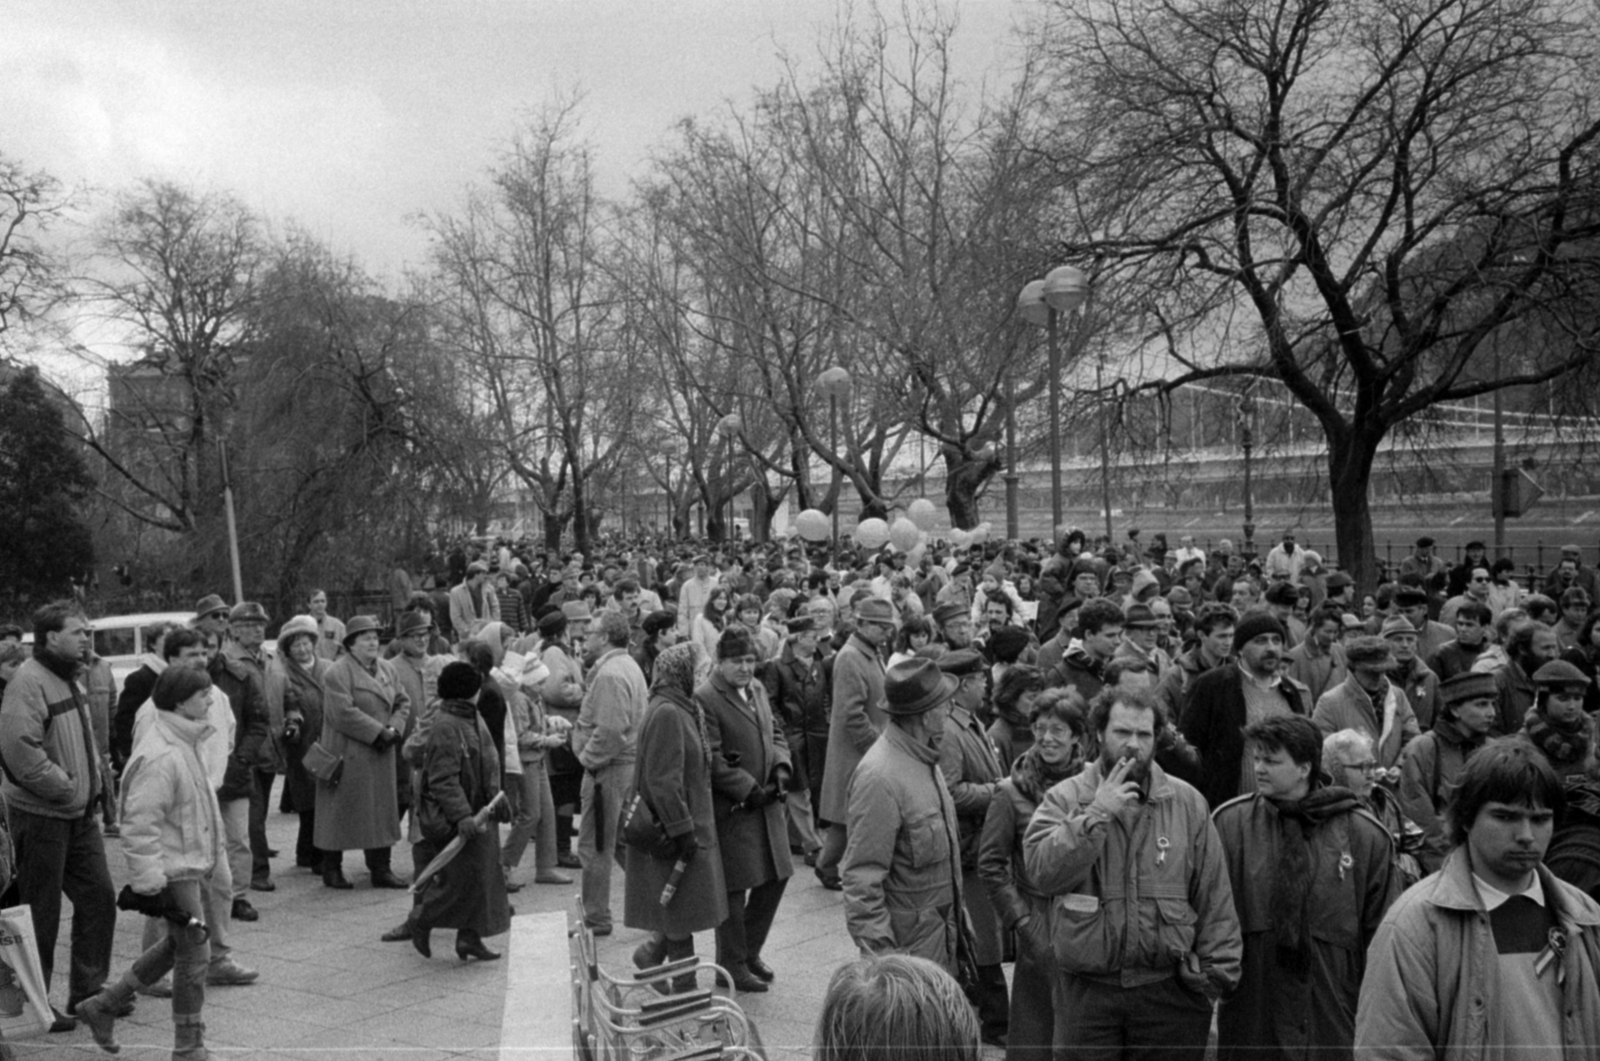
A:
(1351, 862)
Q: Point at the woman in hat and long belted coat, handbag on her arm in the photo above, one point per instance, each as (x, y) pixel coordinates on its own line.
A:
(364, 715)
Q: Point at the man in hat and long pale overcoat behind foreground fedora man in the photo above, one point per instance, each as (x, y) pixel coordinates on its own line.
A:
(857, 723)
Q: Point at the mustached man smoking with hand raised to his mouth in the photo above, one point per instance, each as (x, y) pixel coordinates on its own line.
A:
(1143, 923)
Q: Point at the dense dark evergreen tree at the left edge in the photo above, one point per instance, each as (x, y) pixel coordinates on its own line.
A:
(44, 482)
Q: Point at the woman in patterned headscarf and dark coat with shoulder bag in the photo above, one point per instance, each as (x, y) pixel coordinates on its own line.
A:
(673, 777)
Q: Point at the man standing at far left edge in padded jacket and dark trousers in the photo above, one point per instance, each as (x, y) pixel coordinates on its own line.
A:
(52, 790)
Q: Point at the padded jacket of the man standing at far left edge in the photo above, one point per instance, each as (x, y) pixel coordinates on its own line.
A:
(47, 742)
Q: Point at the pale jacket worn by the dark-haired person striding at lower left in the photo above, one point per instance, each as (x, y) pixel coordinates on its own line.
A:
(172, 827)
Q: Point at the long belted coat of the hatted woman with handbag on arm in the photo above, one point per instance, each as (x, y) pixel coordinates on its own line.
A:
(362, 811)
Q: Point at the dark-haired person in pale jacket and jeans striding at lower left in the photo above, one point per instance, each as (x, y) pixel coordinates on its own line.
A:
(172, 836)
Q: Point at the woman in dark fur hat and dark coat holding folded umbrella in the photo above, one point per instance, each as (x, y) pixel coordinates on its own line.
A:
(460, 779)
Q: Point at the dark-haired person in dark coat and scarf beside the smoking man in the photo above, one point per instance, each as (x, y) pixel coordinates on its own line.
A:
(1311, 876)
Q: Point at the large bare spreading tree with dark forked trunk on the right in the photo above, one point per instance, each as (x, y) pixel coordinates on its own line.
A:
(1351, 198)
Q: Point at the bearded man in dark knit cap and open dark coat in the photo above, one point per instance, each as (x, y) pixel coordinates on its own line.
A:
(1223, 702)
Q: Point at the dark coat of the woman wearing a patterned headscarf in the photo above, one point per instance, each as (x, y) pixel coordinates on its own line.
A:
(674, 780)
